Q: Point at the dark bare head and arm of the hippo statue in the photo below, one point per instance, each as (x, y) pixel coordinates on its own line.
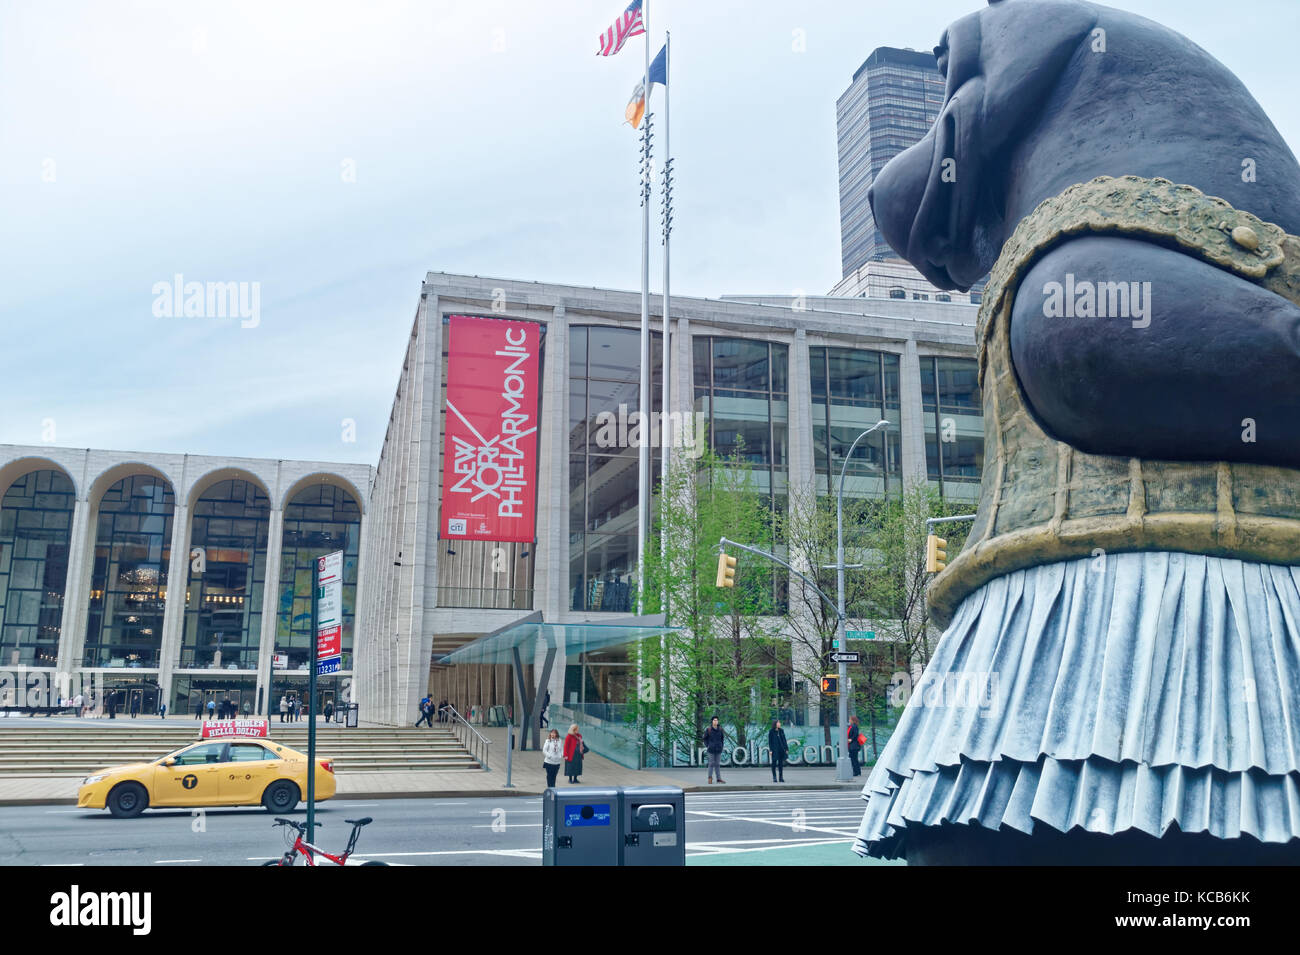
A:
(1046, 94)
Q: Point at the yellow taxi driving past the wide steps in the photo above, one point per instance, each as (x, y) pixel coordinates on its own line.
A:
(211, 772)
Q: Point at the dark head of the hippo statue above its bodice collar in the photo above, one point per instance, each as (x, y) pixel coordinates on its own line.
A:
(1043, 94)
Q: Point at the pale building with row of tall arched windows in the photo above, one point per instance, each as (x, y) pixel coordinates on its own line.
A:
(168, 578)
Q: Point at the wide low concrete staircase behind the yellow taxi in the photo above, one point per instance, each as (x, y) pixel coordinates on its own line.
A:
(81, 748)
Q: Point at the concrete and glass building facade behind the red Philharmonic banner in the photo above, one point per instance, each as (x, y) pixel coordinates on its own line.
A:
(769, 368)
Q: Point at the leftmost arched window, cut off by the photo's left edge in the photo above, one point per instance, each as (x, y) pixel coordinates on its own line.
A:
(36, 529)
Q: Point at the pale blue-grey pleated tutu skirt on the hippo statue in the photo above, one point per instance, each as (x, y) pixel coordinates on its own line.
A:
(1110, 694)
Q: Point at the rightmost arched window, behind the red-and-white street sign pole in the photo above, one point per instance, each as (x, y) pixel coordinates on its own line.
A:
(319, 520)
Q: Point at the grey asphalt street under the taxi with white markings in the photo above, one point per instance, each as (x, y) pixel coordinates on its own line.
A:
(497, 831)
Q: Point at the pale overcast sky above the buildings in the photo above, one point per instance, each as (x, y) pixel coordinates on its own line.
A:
(333, 153)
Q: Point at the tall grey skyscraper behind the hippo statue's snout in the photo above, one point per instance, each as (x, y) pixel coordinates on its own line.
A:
(892, 102)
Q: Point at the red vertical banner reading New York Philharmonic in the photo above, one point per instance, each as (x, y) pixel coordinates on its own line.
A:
(489, 472)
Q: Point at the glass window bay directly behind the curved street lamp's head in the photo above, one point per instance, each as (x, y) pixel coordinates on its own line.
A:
(852, 390)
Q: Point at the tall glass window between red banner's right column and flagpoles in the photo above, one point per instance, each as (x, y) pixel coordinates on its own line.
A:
(605, 393)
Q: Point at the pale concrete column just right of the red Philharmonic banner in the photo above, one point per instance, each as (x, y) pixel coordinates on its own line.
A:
(551, 559)
